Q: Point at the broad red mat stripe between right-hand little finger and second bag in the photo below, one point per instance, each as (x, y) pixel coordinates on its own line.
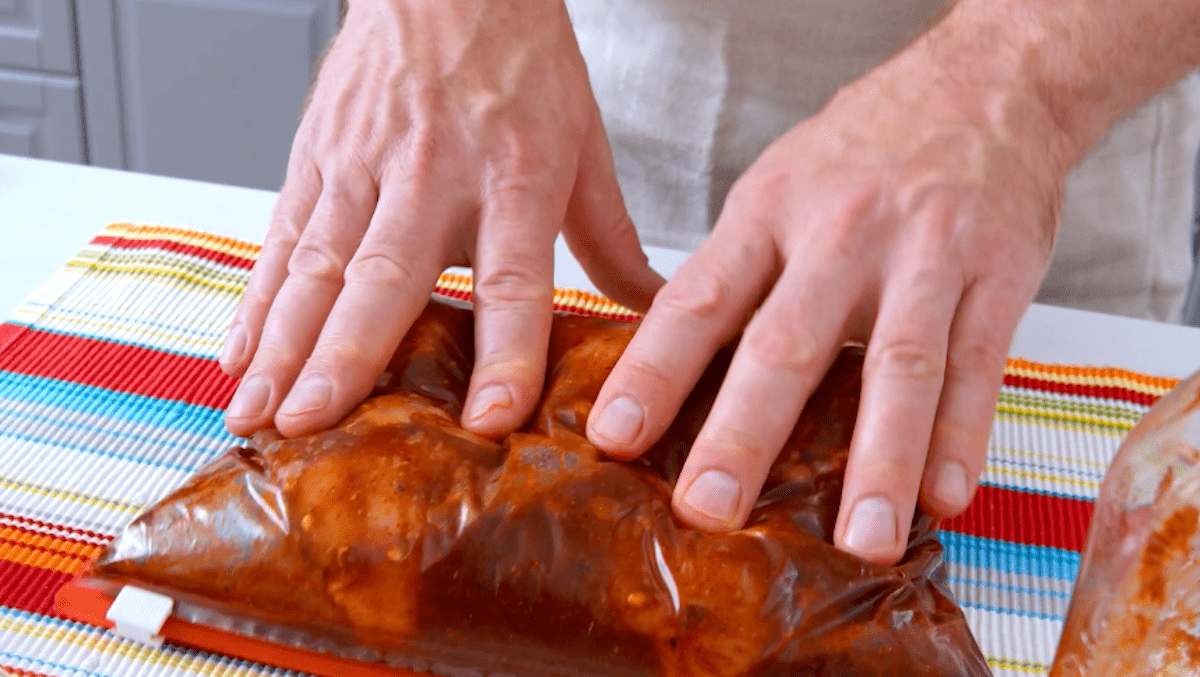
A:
(1025, 518)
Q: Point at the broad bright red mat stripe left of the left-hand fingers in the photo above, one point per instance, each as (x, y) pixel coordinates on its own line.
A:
(117, 367)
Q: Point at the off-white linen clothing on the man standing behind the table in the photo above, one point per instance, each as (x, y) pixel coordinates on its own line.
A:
(692, 92)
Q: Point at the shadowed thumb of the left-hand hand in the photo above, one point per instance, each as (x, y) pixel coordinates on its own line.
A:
(601, 233)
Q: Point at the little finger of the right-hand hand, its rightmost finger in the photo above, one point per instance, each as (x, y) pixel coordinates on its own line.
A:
(975, 370)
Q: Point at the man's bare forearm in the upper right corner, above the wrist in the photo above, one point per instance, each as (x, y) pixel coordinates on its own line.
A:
(1088, 62)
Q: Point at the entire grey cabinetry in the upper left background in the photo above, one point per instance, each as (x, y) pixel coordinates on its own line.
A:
(200, 89)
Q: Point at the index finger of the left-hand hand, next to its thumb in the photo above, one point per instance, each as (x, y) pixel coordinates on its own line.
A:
(514, 296)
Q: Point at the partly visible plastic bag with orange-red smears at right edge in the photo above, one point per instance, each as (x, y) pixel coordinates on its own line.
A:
(1136, 609)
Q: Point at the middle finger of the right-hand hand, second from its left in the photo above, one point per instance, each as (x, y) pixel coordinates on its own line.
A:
(783, 356)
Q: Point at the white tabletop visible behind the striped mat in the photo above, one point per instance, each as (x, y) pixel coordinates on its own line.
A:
(49, 211)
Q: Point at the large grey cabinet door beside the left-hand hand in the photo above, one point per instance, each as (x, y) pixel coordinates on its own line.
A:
(213, 89)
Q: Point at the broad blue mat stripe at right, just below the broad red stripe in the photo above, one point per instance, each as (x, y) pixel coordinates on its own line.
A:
(1011, 558)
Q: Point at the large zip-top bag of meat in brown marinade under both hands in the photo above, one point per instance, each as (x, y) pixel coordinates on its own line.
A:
(399, 542)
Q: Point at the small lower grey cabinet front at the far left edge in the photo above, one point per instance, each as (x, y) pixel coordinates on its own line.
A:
(40, 117)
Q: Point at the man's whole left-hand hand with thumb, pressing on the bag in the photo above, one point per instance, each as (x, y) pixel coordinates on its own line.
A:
(440, 134)
